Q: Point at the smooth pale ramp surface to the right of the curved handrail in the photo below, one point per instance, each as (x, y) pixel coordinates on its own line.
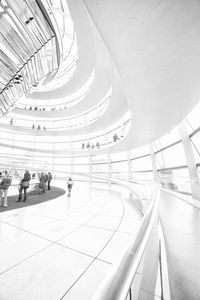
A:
(181, 226)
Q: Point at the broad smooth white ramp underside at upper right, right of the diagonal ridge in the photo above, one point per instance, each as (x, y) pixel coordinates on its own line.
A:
(155, 46)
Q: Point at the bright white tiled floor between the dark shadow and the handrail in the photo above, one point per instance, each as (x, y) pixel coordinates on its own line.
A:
(62, 249)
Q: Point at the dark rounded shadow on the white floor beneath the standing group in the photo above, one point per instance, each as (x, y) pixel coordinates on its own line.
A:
(33, 198)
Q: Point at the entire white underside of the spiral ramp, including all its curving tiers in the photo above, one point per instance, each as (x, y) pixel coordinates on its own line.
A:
(147, 51)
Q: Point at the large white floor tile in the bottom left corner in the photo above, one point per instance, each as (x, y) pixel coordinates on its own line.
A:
(47, 275)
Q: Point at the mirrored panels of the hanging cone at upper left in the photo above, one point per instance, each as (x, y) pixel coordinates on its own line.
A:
(28, 49)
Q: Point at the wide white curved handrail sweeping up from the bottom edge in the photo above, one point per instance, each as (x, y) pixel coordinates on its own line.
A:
(118, 282)
